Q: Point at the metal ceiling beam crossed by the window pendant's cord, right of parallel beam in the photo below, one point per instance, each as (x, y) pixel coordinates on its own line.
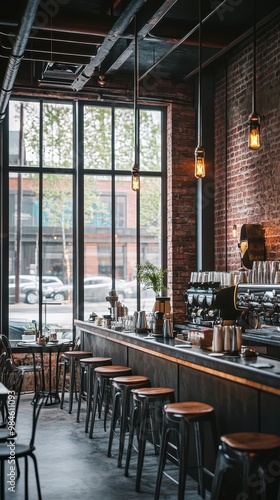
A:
(160, 8)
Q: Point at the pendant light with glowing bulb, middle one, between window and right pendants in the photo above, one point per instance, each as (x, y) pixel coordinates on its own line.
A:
(199, 153)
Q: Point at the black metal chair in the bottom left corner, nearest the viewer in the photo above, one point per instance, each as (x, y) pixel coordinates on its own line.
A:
(22, 450)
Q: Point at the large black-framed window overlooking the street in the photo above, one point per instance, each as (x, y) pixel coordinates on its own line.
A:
(76, 229)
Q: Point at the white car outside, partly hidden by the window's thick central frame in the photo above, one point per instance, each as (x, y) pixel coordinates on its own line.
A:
(96, 289)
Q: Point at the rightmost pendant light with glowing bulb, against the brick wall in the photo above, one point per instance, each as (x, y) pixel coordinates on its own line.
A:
(254, 119)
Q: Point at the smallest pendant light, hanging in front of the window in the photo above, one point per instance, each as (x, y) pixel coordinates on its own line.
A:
(135, 180)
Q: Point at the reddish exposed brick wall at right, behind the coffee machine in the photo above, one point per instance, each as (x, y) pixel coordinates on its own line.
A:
(247, 182)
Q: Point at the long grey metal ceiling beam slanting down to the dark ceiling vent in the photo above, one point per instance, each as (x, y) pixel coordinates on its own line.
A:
(120, 25)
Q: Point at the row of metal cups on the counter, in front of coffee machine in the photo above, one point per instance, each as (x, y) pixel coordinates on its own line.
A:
(227, 338)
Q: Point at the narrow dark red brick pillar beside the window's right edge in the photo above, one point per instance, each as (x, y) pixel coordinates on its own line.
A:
(181, 214)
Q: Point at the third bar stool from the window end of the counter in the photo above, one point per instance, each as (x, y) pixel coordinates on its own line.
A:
(103, 388)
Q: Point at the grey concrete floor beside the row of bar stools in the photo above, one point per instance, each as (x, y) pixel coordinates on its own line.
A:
(71, 466)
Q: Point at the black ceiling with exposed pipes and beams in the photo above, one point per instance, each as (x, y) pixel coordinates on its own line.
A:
(82, 45)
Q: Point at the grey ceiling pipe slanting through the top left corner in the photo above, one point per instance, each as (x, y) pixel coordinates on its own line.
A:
(17, 54)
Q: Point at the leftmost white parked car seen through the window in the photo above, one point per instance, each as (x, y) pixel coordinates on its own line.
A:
(29, 286)
